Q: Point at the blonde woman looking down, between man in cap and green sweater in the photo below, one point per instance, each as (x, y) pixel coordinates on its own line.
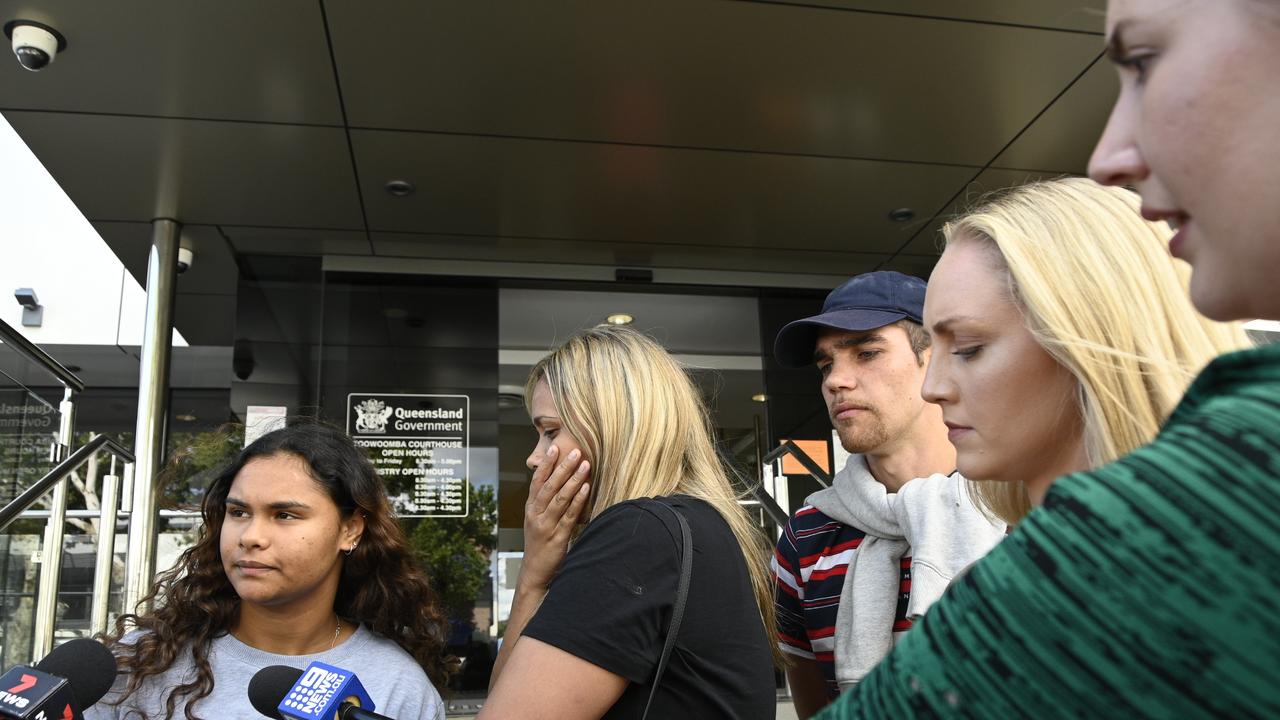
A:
(1063, 338)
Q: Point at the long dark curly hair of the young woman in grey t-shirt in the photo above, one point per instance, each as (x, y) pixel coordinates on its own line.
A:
(381, 586)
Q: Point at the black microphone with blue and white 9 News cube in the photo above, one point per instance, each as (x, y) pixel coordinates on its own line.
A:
(321, 692)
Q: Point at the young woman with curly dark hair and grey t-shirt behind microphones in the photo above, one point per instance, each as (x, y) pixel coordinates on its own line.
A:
(300, 559)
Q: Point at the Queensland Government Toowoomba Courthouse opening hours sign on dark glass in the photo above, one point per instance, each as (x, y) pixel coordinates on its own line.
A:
(420, 445)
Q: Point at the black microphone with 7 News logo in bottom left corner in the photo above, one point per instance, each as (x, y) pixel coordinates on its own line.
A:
(67, 682)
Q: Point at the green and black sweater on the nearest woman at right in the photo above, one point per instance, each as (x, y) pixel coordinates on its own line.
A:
(1146, 589)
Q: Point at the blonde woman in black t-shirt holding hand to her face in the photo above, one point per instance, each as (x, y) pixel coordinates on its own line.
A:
(625, 446)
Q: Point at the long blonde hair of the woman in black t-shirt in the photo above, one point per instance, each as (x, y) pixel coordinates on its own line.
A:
(644, 429)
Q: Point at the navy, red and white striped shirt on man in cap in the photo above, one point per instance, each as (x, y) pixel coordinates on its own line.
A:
(810, 567)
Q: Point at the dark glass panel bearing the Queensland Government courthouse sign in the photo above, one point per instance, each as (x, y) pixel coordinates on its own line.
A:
(410, 368)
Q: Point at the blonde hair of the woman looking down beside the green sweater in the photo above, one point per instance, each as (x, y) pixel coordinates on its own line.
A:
(1104, 298)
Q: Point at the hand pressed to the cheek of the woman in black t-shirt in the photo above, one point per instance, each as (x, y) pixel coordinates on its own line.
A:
(557, 499)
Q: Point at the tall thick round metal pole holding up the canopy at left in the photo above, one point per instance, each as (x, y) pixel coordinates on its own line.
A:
(153, 409)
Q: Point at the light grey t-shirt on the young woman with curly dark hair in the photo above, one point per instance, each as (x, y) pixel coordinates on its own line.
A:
(397, 685)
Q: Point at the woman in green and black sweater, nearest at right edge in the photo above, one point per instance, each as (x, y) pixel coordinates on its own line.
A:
(1149, 587)
